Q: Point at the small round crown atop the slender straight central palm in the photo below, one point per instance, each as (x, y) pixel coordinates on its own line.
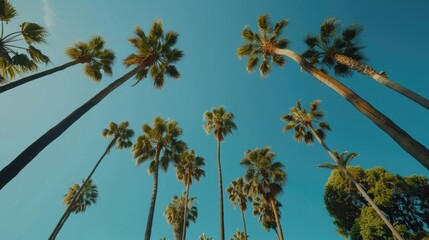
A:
(219, 120)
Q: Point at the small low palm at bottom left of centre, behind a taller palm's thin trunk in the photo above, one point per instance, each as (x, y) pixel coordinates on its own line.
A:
(175, 214)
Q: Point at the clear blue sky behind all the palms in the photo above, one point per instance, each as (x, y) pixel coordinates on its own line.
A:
(396, 37)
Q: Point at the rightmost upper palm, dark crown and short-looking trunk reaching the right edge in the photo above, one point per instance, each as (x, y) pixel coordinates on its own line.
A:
(342, 52)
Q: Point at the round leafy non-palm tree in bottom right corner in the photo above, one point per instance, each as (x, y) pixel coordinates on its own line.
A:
(404, 200)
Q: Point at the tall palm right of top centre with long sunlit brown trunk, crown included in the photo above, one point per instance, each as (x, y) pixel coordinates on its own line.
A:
(269, 45)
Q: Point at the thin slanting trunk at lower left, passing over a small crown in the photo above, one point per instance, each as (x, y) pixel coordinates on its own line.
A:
(73, 201)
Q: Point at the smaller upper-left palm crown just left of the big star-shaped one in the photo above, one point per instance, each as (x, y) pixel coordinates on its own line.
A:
(94, 56)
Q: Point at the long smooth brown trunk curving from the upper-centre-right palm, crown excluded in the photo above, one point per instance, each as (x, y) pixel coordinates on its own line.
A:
(409, 144)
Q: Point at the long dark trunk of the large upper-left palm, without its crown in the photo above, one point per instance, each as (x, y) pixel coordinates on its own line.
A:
(13, 169)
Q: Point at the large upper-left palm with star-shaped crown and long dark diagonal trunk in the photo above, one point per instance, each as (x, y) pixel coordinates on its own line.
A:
(155, 54)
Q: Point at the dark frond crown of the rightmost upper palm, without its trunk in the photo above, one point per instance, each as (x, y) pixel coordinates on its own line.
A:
(330, 41)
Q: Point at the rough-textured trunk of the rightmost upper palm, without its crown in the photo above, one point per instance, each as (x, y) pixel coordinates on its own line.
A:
(383, 80)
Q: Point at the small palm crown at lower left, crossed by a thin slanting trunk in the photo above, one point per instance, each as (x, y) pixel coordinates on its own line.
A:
(87, 196)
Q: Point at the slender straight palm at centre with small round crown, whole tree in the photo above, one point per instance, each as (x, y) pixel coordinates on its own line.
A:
(222, 123)
